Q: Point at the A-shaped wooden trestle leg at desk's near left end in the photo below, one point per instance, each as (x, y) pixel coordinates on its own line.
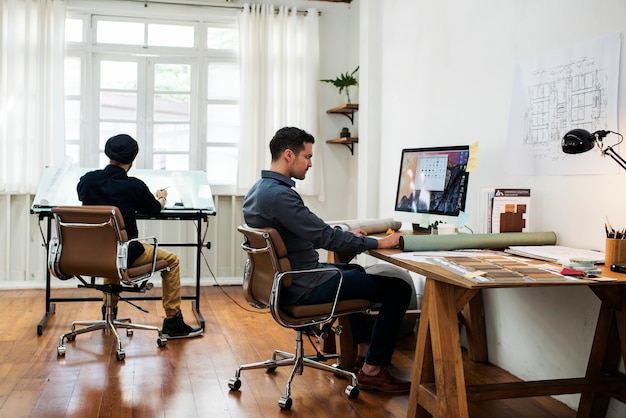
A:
(438, 388)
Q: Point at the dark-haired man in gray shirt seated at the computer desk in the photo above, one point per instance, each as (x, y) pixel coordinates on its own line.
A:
(273, 202)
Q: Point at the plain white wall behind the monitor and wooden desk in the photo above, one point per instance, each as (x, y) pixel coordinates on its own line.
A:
(447, 77)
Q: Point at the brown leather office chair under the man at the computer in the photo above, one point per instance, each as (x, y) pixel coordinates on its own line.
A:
(268, 271)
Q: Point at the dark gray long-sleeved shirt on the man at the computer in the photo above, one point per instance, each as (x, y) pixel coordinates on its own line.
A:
(273, 203)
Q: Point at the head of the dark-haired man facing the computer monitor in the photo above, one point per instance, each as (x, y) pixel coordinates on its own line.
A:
(292, 150)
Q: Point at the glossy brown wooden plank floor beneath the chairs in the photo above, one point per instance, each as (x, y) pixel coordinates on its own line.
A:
(188, 378)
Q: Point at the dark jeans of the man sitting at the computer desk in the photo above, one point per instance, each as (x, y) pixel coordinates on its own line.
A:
(392, 293)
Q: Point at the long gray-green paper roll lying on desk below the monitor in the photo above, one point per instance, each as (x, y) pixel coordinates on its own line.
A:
(478, 241)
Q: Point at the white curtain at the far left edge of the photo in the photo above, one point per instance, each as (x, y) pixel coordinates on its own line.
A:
(31, 91)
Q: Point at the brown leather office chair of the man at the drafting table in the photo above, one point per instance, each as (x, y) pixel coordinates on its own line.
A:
(91, 241)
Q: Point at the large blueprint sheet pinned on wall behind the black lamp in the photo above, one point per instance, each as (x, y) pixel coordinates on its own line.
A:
(575, 87)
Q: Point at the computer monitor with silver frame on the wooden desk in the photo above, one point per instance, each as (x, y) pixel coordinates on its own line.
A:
(432, 181)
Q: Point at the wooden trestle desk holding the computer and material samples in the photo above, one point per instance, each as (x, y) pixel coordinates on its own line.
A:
(439, 388)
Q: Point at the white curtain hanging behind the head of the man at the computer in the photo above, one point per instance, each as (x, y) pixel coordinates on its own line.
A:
(279, 79)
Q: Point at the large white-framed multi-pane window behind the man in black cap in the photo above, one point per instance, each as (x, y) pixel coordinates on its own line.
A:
(172, 85)
